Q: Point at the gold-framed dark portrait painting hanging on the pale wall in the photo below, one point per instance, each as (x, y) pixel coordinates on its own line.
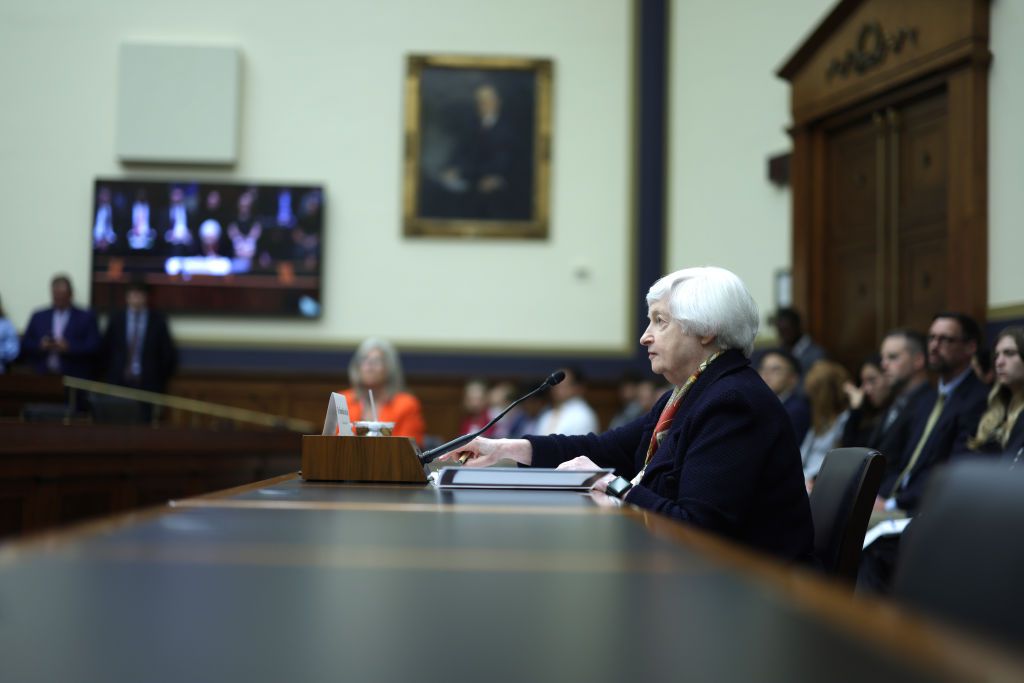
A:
(478, 147)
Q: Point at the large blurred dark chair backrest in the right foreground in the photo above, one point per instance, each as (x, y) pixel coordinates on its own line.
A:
(962, 559)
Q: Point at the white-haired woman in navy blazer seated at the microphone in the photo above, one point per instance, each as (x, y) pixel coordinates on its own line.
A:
(718, 451)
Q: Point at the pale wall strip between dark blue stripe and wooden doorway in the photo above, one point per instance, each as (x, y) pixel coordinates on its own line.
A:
(730, 115)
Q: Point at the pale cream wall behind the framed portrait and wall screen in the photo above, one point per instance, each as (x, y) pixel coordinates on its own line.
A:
(323, 103)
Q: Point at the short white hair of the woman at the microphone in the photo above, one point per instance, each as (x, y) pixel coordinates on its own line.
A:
(710, 302)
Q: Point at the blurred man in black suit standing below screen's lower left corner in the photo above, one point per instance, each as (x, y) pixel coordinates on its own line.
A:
(138, 346)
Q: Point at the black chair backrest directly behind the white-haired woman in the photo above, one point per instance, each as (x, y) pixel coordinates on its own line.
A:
(841, 505)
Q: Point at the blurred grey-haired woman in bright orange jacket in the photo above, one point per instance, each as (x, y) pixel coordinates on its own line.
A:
(375, 367)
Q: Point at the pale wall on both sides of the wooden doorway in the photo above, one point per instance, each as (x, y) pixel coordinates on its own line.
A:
(730, 115)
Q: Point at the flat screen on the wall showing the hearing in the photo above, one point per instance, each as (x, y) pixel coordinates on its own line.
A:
(220, 248)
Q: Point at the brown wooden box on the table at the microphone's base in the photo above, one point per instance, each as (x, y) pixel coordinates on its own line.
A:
(385, 459)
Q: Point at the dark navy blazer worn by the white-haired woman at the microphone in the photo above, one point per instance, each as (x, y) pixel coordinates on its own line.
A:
(730, 463)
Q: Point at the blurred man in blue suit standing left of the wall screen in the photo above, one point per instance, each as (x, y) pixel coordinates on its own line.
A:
(63, 339)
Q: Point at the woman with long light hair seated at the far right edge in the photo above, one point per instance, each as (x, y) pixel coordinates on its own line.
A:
(1001, 431)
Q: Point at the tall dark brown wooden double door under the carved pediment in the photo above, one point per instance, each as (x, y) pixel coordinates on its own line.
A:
(885, 238)
